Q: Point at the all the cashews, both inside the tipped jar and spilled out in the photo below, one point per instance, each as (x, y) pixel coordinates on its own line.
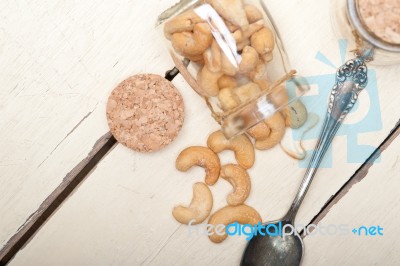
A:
(191, 37)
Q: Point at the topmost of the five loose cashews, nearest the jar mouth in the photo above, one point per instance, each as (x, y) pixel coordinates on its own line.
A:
(240, 145)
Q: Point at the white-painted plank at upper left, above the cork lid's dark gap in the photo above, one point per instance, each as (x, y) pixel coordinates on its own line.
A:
(59, 61)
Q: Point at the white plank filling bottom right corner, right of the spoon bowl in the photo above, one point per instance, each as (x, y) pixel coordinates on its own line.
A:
(373, 201)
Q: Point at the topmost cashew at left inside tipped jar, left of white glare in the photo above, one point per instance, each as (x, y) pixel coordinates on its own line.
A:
(181, 23)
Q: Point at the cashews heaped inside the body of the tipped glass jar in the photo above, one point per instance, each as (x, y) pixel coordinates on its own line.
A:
(191, 37)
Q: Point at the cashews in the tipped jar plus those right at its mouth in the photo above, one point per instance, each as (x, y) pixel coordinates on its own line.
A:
(192, 37)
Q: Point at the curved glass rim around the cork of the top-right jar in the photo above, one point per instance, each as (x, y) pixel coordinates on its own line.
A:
(358, 24)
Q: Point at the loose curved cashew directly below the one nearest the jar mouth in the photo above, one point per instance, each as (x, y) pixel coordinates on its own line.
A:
(240, 180)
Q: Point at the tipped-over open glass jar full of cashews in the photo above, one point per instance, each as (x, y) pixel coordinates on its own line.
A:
(230, 53)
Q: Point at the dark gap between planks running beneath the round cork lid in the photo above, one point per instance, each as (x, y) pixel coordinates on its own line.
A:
(70, 182)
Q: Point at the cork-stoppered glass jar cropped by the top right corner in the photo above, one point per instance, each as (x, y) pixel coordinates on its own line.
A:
(369, 24)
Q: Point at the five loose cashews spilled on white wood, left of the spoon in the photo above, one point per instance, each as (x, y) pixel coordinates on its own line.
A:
(236, 174)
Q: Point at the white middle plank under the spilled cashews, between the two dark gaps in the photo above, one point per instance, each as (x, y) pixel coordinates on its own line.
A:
(121, 214)
